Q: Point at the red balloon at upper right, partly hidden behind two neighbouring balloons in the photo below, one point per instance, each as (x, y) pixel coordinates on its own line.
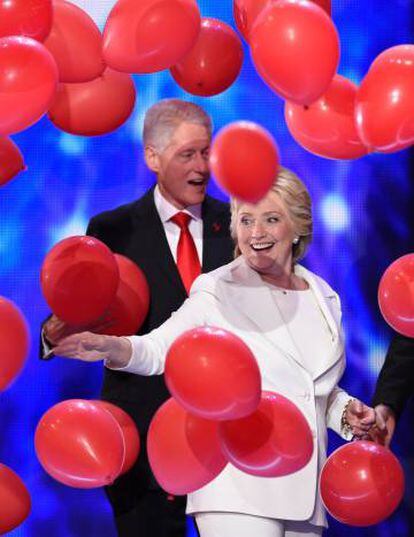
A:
(326, 127)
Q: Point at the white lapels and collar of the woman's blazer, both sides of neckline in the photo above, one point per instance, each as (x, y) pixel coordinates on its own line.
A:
(255, 300)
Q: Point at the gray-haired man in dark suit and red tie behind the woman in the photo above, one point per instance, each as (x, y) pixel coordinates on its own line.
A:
(176, 140)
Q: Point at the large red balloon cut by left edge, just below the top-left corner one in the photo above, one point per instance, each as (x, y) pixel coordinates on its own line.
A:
(28, 80)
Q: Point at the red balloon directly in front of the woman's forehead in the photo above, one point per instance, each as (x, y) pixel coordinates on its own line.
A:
(244, 160)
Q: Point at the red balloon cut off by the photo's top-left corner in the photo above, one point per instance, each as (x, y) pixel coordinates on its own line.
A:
(31, 18)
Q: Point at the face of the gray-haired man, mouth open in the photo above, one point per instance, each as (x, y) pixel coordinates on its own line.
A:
(182, 167)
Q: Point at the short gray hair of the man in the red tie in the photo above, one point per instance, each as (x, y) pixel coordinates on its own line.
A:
(166, 115)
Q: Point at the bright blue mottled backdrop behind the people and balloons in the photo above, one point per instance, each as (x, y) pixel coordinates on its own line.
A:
(363, 221)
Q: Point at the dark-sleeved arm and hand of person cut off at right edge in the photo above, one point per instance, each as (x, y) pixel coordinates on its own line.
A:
(395, 385)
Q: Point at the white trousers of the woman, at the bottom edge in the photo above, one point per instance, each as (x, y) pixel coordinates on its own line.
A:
(222, 524)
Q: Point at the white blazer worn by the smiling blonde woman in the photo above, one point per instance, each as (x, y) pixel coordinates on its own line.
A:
(234, 297)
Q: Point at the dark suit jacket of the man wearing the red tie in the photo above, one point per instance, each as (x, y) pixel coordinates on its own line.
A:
(136, 231)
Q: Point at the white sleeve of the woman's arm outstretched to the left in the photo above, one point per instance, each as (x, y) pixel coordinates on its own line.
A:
(149, 351)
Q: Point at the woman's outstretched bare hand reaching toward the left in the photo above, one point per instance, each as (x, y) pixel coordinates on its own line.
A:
(90, 347)
